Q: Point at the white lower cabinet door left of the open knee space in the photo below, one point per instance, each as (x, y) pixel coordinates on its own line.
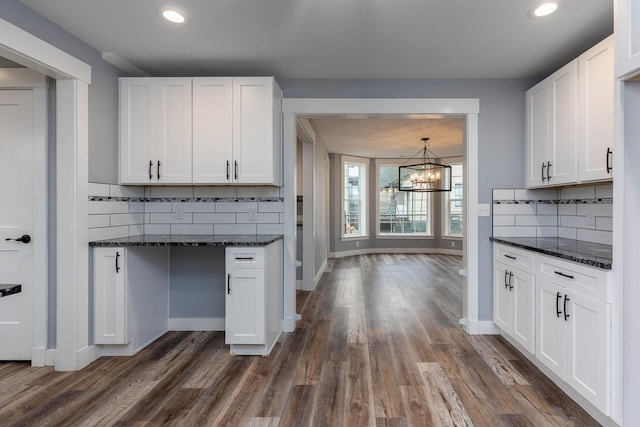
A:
(109, 296)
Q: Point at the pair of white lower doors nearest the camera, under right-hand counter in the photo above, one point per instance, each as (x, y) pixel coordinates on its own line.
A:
(574, 340)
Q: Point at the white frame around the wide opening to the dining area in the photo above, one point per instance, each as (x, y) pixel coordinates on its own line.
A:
(469, 108)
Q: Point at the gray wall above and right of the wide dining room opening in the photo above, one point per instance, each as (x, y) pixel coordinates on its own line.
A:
(501, 135)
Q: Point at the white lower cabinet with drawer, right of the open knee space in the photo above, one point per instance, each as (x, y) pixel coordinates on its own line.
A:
(253, 302)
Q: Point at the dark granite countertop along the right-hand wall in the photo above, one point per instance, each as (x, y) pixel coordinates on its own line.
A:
(592, 254)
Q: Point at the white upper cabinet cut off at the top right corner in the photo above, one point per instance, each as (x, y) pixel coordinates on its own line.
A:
(627, 31)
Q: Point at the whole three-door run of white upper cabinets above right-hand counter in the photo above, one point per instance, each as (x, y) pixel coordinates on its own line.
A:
(569, 122)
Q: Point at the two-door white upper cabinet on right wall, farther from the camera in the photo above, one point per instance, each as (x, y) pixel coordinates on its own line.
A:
(551, 138)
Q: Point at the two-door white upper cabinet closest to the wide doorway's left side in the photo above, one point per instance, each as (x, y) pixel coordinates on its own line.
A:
(237, 131)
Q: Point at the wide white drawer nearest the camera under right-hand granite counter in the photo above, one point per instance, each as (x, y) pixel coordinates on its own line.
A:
(586, 280)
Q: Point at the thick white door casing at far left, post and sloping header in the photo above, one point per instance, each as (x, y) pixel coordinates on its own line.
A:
(73, 78)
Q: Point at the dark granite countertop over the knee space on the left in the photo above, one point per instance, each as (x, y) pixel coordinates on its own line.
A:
(191, 240)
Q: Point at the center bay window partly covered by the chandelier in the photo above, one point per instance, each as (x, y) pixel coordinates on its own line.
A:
(400, 213)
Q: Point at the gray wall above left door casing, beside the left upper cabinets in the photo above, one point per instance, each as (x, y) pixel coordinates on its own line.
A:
(103, 92)
